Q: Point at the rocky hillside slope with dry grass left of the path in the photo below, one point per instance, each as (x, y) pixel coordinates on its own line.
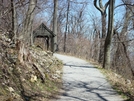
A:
(27, 73)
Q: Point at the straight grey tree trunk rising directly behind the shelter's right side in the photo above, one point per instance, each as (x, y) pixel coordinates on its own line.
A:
(55, 24)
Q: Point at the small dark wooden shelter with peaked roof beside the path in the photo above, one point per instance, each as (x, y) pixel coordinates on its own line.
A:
(43, 32)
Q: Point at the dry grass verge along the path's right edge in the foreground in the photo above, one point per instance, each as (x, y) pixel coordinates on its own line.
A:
(124, 87)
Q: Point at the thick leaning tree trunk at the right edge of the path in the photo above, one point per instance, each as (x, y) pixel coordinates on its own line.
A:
(107, 51)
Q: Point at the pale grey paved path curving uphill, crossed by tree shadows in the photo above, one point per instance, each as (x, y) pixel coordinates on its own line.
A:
(83, 82)
